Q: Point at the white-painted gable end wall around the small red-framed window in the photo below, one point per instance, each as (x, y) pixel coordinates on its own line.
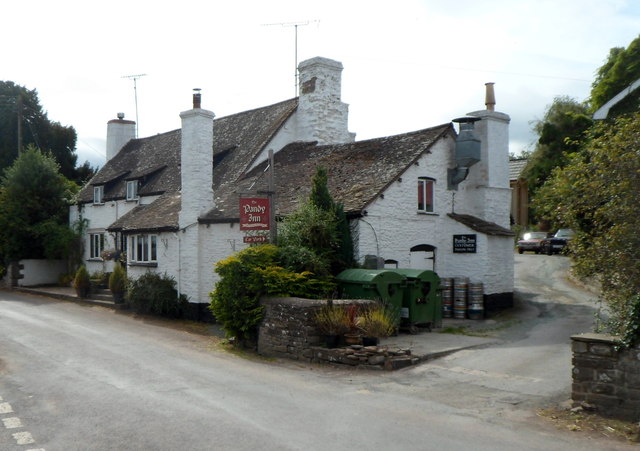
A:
(398, 226)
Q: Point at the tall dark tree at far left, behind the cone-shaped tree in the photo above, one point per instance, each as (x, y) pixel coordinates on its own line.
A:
(20, 110)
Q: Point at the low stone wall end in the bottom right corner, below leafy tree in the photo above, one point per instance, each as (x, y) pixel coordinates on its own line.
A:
(605, 378)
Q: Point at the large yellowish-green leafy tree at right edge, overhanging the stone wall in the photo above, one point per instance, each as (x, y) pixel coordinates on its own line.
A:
(596, 195)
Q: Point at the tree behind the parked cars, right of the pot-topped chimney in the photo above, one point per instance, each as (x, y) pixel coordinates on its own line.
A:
(560, 133)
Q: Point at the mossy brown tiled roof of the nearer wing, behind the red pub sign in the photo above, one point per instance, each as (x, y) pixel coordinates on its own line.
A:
(357, 172)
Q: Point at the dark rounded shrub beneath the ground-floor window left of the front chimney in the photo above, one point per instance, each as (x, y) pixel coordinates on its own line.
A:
(155, 294)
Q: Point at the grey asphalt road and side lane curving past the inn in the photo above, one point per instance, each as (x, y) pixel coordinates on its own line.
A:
(86, 378)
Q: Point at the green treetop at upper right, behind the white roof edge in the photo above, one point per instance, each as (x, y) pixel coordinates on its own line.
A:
(620, 70)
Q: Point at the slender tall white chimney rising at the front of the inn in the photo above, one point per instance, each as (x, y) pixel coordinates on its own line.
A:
(196, 160)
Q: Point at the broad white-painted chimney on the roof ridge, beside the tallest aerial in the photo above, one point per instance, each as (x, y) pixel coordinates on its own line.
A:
(321, 115)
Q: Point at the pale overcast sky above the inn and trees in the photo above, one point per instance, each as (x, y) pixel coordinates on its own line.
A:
(408, 64)
